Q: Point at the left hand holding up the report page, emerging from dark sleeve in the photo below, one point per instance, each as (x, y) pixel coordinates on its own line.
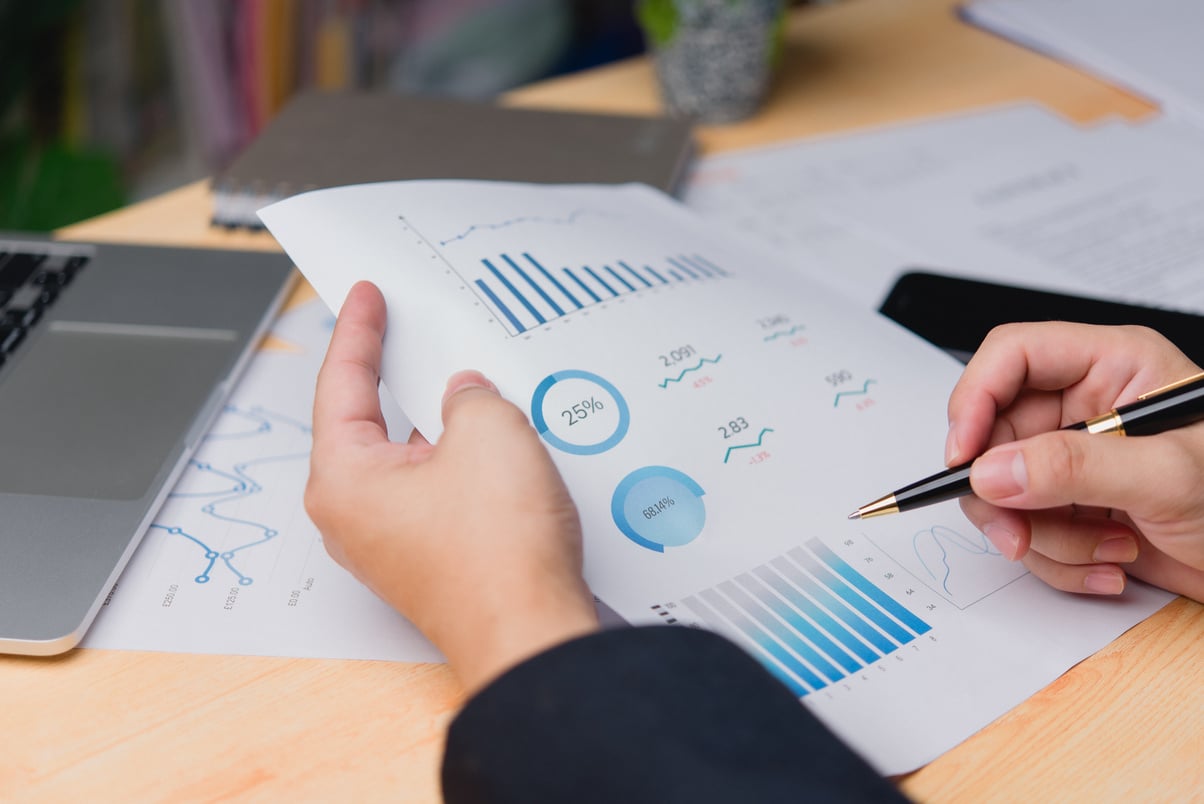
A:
(475, 540)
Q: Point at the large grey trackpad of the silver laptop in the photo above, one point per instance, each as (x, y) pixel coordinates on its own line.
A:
(96, 413)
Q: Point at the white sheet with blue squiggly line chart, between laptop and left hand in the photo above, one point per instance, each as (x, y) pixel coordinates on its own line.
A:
(232, 564)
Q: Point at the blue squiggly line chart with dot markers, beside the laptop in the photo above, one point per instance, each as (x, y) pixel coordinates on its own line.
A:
(235, 486)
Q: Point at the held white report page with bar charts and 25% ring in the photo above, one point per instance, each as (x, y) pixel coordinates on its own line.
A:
(716, 417)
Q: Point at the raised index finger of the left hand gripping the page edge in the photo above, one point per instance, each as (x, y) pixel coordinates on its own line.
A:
(347, 404)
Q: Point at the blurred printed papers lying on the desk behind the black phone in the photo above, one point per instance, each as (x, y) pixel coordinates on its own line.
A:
(1012, 194)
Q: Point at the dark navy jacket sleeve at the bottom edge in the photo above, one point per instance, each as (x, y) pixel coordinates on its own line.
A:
(658, 714)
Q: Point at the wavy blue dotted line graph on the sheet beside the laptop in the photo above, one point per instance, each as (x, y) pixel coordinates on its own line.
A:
(241, 484)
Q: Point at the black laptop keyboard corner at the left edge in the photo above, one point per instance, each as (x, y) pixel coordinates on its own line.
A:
(29, 285)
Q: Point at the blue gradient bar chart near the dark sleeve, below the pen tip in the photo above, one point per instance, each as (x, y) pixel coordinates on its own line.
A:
(810, 617)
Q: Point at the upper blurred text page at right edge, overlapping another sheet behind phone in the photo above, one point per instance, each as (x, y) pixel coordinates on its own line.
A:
(1117, 212)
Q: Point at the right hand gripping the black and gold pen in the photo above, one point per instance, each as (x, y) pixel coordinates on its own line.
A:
(1083, 512)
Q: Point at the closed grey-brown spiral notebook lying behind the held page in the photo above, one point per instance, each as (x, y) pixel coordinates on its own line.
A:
(324, 140)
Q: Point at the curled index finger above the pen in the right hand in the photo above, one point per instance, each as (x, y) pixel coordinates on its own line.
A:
(1085, 370)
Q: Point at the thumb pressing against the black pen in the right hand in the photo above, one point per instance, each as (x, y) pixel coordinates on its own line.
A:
(1153, 477)
